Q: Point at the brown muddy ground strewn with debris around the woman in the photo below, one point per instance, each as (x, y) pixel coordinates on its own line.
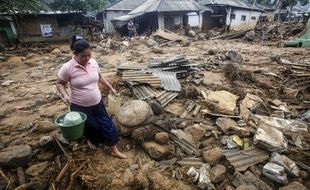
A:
(29, 104)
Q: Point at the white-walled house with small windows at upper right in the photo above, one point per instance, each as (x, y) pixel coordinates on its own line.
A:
(230, 15)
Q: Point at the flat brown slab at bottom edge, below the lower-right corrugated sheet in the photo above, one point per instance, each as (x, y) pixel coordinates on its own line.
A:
(249, 179)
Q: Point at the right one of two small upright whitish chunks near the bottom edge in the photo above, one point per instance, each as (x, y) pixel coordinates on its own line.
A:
(204, 177)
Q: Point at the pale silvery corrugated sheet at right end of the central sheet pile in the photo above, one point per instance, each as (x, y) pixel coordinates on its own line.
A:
(168, 79)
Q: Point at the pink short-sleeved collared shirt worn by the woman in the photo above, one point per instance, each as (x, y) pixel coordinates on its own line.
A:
(83, 80)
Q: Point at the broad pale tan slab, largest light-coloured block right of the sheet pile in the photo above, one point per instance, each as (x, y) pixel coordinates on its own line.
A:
(223, 102)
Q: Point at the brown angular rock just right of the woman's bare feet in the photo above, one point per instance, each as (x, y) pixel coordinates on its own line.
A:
(155, 150)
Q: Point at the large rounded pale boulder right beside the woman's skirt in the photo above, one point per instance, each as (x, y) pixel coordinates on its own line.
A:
(134, 113)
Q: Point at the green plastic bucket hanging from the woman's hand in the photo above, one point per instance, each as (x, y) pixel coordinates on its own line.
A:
(71, 132)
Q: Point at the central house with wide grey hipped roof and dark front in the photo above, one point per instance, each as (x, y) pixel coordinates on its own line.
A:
(159, 14)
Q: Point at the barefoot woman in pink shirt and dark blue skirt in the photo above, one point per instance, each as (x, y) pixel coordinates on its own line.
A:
(83, 74)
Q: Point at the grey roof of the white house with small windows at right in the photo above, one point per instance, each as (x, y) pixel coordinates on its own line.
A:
(233, 3)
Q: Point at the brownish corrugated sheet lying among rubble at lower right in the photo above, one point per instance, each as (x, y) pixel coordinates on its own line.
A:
(242, 159)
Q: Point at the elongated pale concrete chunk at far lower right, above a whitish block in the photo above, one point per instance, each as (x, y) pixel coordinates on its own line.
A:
(290, 166)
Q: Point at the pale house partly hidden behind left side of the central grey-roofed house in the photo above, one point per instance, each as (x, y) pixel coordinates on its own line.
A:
(118, 9)
